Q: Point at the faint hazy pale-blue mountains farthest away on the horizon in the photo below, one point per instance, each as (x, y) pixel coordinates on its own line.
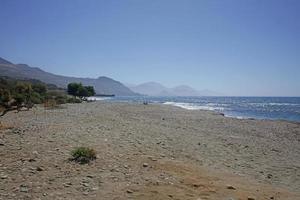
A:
(157, 89)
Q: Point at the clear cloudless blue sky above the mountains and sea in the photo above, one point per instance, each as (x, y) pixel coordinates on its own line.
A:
(234, 47)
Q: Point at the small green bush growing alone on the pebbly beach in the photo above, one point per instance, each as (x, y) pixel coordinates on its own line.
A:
(83, 155)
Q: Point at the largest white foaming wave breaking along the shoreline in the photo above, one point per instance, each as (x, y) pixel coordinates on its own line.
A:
(190, 106)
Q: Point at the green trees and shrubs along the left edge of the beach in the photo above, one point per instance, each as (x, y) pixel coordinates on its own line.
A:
(16, 94)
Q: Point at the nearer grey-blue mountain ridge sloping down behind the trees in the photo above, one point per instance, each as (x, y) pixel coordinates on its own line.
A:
(102, 85)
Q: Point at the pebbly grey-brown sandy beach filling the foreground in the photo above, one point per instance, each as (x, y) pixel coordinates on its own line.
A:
(147, 152)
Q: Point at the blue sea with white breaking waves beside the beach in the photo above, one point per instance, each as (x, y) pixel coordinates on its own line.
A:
(273, 108)
